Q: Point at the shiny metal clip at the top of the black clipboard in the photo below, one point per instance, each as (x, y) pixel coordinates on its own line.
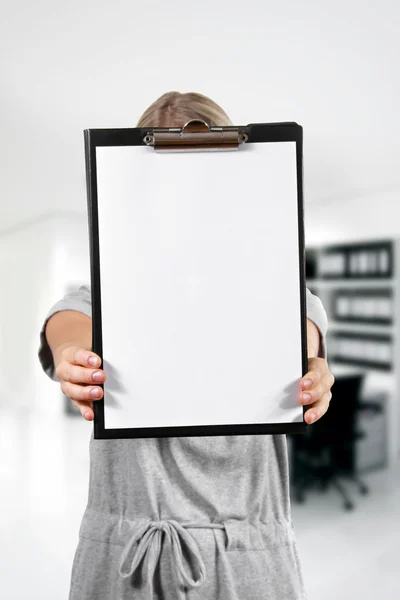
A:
(195, 136)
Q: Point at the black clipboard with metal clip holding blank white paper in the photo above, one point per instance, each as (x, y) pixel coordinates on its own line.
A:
(197, 262)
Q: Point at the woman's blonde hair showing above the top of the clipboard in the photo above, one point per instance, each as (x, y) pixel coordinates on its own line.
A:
(174, 109)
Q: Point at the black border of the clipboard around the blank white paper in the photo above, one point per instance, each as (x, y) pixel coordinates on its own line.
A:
(256, 133)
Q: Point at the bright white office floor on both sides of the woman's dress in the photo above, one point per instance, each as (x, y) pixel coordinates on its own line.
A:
(44, 483)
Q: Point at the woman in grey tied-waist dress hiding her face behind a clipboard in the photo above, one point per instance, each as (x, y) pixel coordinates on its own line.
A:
(209, 516)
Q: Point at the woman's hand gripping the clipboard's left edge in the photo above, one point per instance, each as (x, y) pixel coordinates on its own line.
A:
(78, 371)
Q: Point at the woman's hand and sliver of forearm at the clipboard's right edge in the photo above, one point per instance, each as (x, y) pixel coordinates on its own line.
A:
(315, 386)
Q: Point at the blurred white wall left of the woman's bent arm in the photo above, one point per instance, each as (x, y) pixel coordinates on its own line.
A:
(37, 262)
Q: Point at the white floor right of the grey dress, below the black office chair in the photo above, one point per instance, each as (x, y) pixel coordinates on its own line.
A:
(352, 555)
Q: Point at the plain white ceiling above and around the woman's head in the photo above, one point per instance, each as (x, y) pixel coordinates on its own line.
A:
(331, 66)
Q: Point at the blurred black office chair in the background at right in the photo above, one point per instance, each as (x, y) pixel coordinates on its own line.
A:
(326, 452)
